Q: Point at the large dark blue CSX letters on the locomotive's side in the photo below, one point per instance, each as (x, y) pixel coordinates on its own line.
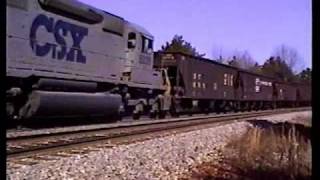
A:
(59, 29)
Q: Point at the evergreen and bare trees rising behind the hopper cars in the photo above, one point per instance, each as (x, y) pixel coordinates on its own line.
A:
(280, 65)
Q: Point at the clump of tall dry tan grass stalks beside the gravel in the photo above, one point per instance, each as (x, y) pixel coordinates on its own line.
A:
(270, 153)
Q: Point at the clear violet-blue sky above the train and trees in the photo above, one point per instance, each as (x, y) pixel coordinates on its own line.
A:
(217, 27)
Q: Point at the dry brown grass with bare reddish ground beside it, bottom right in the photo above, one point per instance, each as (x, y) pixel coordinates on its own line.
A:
(269, 151)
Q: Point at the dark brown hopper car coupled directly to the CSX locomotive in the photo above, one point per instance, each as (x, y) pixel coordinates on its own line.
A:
(198, 84)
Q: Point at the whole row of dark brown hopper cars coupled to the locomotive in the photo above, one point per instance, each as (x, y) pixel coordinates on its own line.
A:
(203, 85)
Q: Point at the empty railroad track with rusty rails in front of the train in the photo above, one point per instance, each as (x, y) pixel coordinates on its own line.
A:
(37, 146)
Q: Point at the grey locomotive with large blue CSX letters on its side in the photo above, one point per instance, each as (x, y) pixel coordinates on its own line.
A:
(68, 59)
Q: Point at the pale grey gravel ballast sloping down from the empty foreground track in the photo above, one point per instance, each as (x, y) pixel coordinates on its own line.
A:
(162, 158)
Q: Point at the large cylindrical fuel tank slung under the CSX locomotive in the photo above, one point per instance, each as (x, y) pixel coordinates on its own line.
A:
(46, 104)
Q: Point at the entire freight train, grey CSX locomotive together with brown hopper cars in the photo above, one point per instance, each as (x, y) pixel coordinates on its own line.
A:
(66, 59)
